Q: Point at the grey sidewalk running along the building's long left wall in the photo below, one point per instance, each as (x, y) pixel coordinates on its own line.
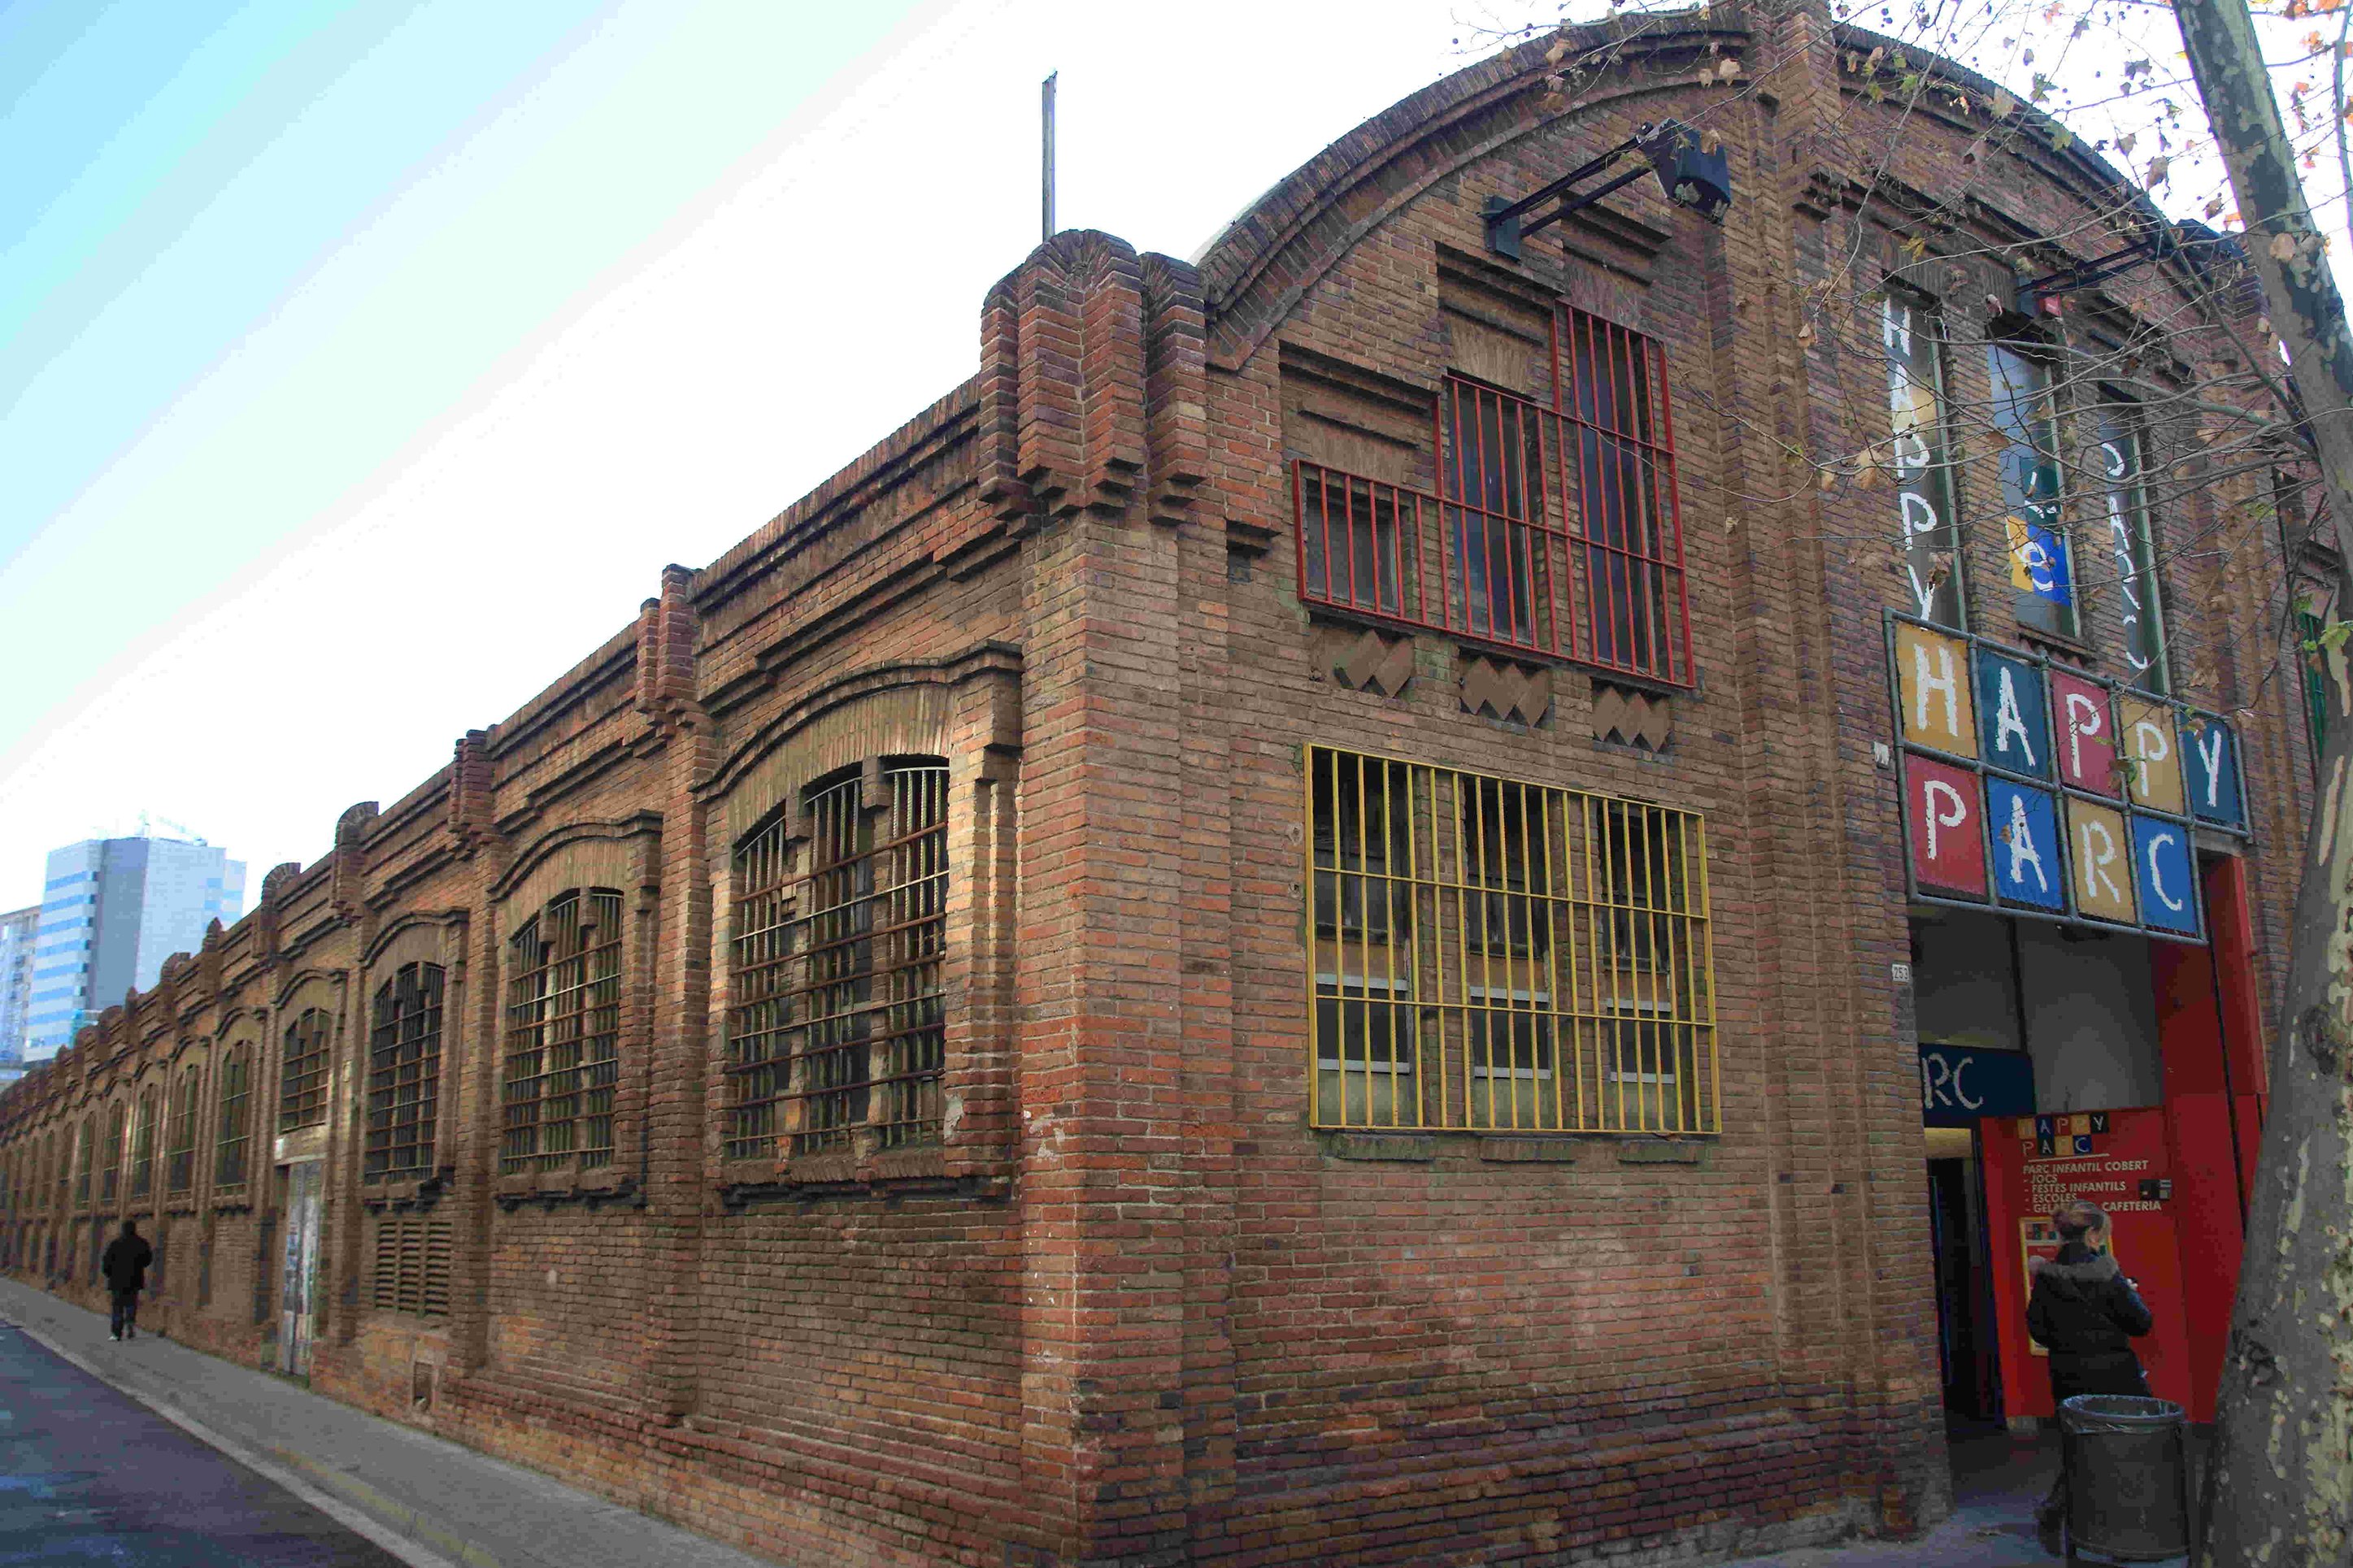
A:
(429, 1501)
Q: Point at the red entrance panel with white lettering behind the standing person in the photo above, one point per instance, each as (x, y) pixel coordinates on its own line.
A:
(2121, 1162)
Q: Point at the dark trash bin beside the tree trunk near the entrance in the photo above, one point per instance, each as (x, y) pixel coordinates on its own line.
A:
(2128, 1463)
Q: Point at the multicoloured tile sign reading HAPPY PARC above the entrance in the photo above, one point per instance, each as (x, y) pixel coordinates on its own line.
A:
(2051, 791)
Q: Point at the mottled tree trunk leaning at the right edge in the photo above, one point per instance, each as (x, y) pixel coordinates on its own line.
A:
(2281, 1485)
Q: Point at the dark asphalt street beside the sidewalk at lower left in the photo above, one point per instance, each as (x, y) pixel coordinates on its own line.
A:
(95, 1477)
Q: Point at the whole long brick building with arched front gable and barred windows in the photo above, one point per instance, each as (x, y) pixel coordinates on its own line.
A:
(1288, 927)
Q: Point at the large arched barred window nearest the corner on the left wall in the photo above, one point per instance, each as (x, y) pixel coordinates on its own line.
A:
(841, 1014)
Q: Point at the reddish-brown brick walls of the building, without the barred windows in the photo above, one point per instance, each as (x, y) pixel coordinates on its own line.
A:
(1126, 1304)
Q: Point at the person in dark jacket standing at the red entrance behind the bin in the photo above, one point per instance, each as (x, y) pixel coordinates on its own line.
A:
(2086, 1313)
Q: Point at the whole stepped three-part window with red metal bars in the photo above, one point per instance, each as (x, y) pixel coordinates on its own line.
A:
(1554, 530)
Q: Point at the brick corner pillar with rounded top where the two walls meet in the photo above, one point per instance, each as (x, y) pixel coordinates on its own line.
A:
(1093, 436)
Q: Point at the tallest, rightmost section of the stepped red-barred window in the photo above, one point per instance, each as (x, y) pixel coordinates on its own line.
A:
(1618, 467)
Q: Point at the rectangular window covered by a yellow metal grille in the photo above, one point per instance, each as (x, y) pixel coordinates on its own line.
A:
(1505, 956)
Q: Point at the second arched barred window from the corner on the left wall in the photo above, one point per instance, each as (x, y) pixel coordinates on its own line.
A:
(564, 1036)
